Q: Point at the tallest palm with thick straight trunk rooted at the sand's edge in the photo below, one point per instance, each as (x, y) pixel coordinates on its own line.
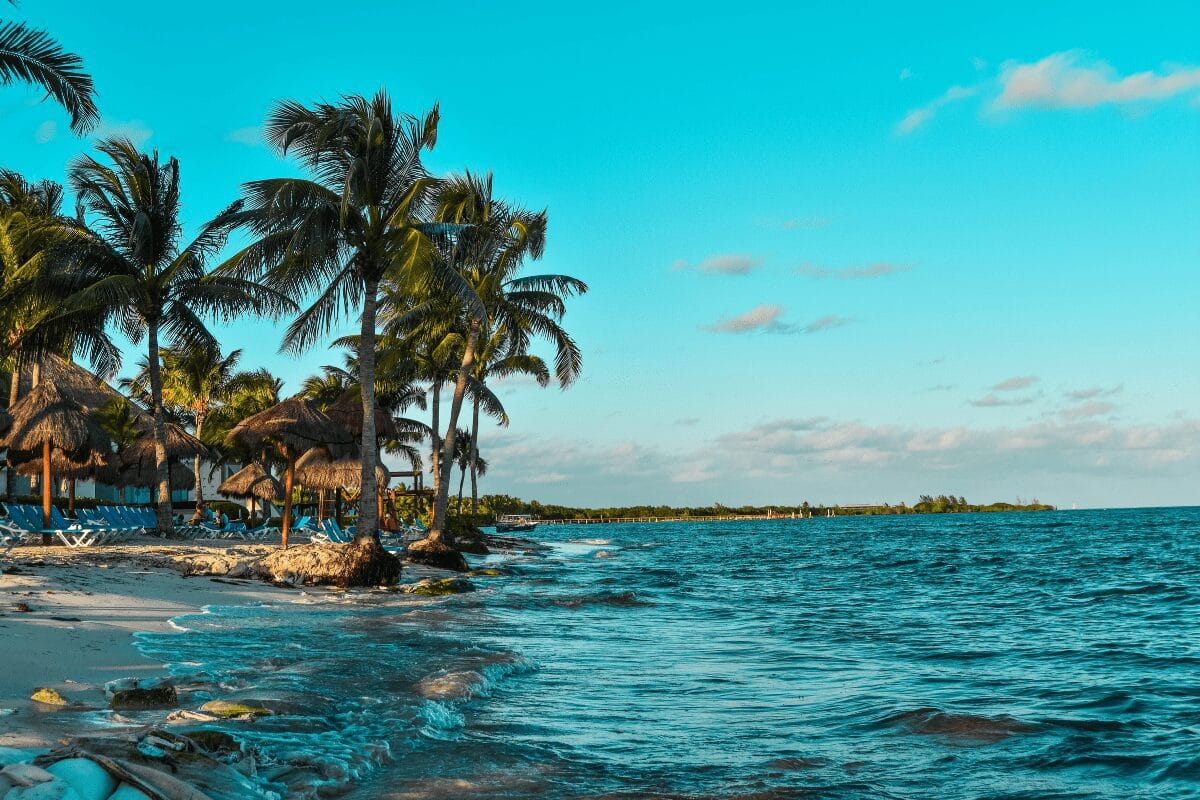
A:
(346, 231)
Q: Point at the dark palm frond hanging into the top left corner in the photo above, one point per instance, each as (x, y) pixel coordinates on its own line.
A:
(33, 57)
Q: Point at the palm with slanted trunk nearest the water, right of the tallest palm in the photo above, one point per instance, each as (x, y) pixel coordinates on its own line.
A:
(489, 252)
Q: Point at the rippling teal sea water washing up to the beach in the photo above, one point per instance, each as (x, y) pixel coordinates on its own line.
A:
(965, 657)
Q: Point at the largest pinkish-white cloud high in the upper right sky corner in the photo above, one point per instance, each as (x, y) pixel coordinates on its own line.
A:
(1065, 81)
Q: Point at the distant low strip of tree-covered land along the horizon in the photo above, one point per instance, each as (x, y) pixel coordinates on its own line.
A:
(494, 506)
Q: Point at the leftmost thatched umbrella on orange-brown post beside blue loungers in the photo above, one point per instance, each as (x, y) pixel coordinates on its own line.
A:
(45, 420)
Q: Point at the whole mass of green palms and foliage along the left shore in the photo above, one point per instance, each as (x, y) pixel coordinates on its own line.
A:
(430, 269)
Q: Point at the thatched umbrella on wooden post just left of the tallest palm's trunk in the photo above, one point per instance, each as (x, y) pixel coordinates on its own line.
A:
(295, 426)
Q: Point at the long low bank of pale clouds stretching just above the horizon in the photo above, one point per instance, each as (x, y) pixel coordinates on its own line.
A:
(830, 460)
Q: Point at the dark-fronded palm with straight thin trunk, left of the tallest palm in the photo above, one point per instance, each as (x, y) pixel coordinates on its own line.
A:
(154, 285)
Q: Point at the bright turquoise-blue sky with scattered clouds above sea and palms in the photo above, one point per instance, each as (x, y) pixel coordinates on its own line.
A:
(835, 255)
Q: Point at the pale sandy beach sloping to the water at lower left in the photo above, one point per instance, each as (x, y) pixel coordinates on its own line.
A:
(85, 609)
